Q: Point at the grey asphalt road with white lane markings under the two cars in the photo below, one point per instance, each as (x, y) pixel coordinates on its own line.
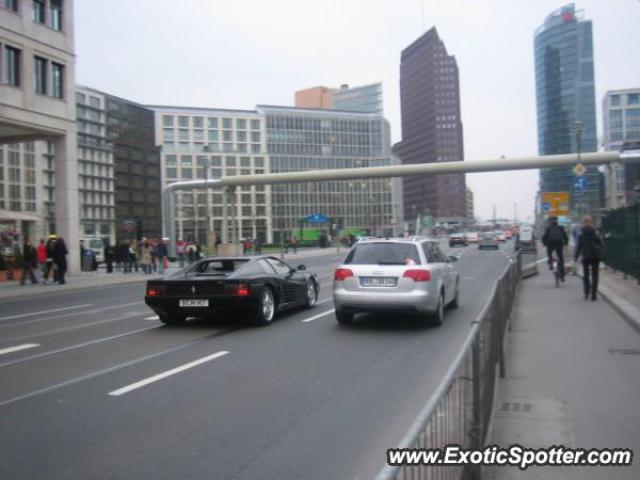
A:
(93, 386)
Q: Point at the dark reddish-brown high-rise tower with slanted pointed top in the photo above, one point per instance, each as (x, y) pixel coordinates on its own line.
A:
(431, 130)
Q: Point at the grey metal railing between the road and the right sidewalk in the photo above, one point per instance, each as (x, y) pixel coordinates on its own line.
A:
(460, 410)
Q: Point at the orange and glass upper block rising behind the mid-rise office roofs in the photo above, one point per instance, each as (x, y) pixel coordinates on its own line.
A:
(364, 99)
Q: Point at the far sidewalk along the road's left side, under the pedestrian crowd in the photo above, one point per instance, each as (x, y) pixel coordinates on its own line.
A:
(101, 278)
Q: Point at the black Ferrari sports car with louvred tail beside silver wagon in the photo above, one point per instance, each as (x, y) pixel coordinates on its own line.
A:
(257, 286)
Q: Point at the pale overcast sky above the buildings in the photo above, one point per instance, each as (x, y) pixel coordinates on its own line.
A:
(240, 53)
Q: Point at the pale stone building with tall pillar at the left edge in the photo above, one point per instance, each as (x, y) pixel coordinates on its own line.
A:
(37, 102)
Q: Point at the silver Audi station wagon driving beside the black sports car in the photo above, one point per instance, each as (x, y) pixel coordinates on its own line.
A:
(401, 275)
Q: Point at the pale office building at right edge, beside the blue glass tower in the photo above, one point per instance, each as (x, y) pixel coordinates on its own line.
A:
(621, 115)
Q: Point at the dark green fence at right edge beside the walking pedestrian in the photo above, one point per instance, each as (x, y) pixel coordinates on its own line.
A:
(621, 234)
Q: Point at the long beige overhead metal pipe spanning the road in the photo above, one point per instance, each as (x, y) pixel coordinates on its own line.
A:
(436, 168)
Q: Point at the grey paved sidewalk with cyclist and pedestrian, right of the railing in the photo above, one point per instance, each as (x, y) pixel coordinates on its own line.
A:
(572, 371)
